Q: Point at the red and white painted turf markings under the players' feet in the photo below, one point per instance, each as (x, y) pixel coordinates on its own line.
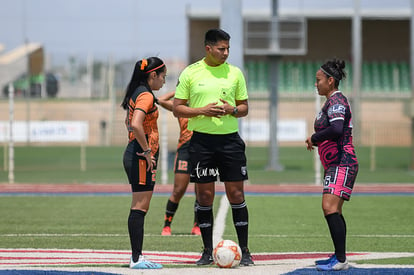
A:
(116, 261)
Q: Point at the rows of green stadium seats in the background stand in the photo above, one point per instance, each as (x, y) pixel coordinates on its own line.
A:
(297, 78)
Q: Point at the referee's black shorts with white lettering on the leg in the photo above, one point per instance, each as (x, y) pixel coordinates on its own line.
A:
(213, 156)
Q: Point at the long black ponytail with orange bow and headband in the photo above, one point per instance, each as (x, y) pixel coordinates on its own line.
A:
(140, 75)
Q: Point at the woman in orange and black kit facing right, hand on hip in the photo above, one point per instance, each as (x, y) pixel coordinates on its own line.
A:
(141, 154)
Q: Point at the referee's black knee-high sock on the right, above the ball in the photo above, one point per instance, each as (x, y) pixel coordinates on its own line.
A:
(241, 222)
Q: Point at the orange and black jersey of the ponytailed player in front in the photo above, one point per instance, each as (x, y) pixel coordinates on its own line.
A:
(143, 100)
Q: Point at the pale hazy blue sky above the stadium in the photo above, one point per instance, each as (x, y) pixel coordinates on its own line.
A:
(122, 29)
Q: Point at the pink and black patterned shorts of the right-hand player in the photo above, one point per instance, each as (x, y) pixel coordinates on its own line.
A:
(339, 180)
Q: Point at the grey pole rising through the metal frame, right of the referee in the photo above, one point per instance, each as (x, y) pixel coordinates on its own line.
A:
(273, 89)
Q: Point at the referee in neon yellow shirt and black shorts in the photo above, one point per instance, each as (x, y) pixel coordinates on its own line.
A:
(213, 94)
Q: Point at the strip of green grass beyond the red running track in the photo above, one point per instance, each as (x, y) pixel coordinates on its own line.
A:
(53, 164)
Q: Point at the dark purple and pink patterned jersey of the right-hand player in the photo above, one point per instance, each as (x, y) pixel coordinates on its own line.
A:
(339, 151)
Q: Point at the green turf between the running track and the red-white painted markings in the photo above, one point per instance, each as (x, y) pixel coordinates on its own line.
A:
(277, 223)
